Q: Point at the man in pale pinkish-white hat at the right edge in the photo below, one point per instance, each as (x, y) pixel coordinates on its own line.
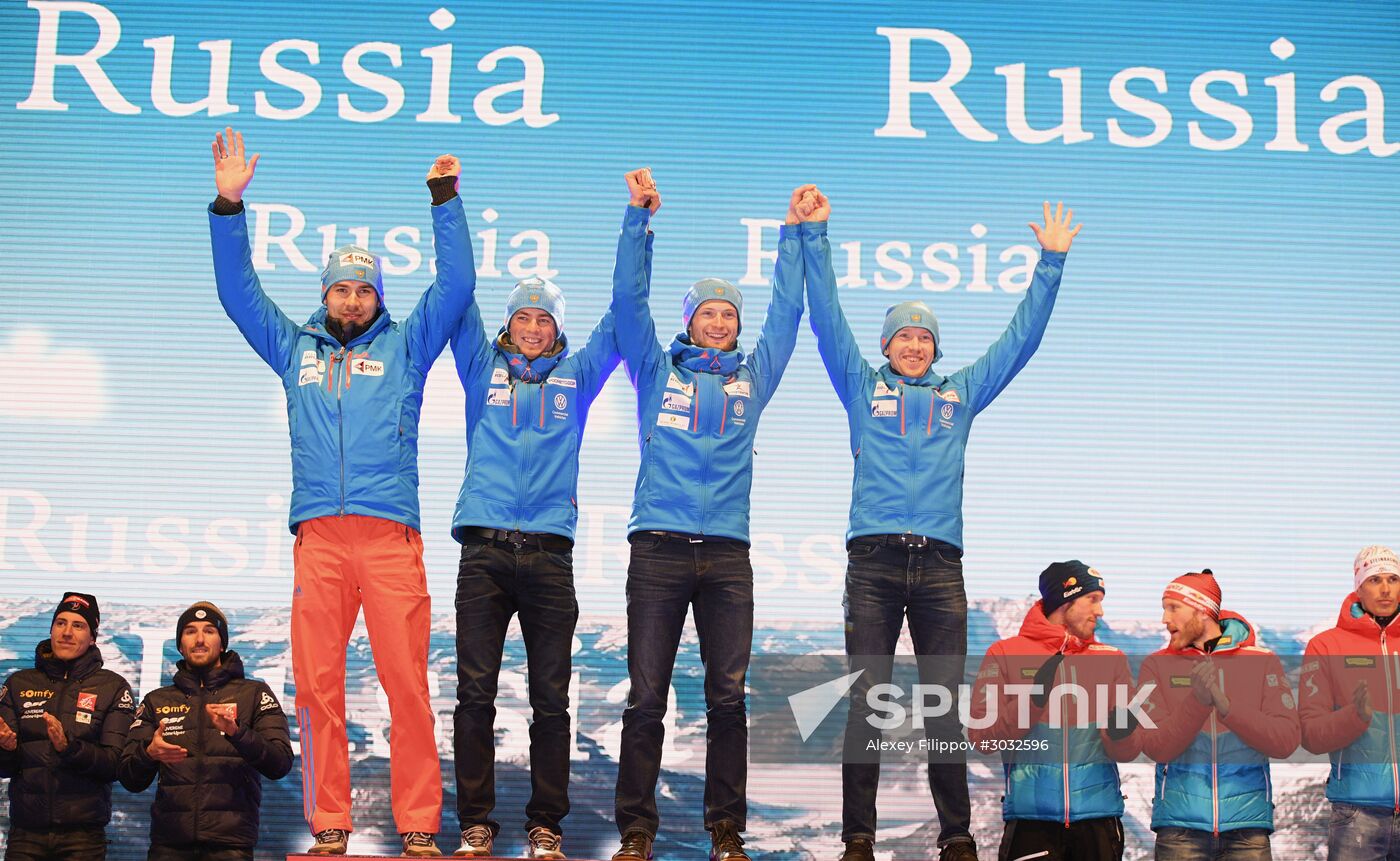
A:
(1347, 703)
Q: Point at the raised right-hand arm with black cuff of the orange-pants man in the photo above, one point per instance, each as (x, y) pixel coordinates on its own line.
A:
(440, 310)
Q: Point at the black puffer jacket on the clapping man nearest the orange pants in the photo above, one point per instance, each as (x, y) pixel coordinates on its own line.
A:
(215, 794)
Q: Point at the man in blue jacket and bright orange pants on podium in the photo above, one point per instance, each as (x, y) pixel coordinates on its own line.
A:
(353, 381)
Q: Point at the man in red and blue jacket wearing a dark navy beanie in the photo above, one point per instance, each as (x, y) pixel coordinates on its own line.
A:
(1063, 797)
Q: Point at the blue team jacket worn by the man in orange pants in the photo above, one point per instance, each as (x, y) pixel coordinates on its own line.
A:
(353, 411)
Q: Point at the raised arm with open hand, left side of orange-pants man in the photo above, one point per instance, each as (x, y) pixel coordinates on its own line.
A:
(264, 325)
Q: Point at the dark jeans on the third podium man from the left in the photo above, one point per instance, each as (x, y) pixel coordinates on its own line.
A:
(666, 579)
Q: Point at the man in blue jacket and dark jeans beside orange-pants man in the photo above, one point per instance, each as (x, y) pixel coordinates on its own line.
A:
(527, 404)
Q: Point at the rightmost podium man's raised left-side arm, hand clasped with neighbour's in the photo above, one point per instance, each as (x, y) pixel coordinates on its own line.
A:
(835, 341)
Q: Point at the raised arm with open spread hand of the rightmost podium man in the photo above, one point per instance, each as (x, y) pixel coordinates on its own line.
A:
(990, 374)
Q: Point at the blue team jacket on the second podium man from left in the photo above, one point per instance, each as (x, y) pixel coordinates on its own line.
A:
(523, 439)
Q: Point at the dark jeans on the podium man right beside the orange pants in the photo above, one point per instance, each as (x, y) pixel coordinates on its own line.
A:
(493, 583)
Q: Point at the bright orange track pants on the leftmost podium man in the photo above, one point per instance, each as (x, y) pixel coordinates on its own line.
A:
(341, 562)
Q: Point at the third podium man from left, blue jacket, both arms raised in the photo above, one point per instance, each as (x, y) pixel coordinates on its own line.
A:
(698, 409)
